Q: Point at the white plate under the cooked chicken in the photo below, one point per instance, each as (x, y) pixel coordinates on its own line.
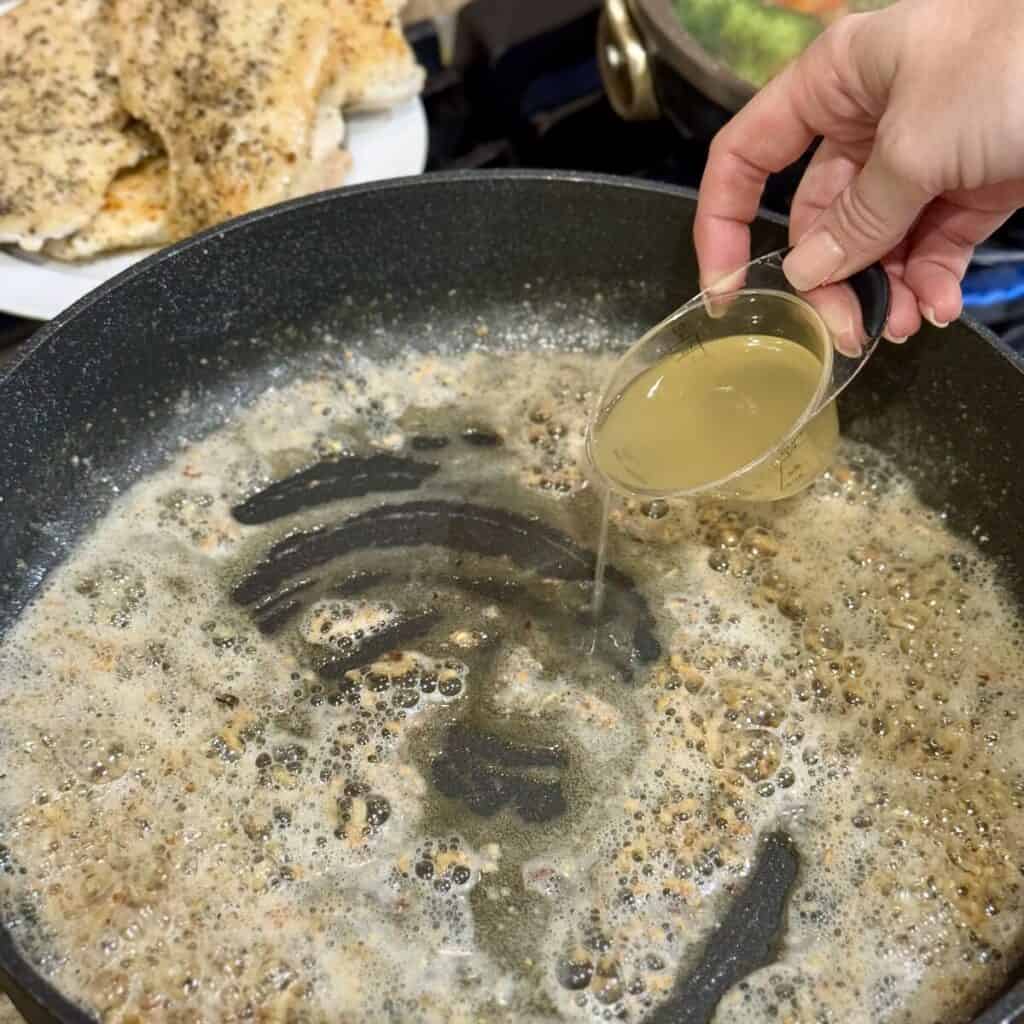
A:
(383, 146)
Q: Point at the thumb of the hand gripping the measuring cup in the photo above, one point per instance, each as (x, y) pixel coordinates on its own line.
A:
(865, 224)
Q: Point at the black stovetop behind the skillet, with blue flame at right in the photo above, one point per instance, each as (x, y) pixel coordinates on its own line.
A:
(522, 89)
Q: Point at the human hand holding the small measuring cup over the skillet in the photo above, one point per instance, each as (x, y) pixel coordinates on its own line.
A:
(922, 155)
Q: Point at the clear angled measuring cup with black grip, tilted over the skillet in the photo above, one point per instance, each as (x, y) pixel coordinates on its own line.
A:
(840, 326)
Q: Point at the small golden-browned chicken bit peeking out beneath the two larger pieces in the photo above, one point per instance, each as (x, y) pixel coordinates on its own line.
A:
(134, 216)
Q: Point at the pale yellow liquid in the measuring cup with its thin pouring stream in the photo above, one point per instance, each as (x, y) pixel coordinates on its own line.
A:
(700, 416)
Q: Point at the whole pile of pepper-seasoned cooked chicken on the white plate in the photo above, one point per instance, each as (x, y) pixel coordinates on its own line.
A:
(132, 123)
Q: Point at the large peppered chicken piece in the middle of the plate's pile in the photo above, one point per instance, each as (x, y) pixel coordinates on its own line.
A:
(233, 89)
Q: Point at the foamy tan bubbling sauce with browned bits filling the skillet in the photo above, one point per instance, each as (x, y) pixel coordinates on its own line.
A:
(215, 813)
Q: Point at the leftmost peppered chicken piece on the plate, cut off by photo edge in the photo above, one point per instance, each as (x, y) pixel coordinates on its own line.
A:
(64, 132)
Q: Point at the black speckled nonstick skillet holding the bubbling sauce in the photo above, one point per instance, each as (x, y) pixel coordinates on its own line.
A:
(405, 263)
